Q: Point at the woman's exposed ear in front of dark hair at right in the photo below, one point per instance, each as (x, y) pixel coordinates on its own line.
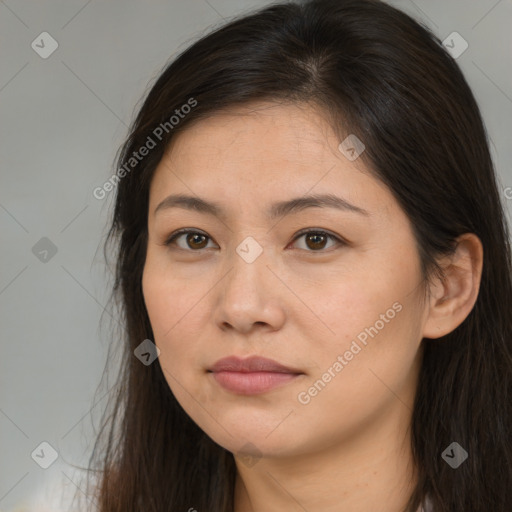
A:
(453, 297)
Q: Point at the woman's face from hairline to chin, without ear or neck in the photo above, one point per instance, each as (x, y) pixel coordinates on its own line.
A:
(330, 291)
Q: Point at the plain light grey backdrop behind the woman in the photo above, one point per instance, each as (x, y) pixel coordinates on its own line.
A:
(62, 120)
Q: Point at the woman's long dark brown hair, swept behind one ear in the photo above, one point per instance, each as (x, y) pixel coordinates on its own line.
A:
(374, 69)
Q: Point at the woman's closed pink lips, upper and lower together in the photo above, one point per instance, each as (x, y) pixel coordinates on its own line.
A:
(252, 375)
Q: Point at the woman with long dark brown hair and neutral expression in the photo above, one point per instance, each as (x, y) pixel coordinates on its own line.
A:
(314, 268)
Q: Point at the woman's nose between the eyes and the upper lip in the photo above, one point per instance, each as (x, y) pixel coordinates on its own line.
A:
(250, 296)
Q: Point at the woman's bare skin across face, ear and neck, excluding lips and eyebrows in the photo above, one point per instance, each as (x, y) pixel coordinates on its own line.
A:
(301, 303)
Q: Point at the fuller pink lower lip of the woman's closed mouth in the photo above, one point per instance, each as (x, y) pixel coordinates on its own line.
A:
(252, 383)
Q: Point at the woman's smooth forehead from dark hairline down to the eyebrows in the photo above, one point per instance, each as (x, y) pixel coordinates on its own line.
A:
(259, 152)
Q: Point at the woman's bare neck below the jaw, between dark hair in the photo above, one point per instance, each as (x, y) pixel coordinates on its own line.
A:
(371, 469)
